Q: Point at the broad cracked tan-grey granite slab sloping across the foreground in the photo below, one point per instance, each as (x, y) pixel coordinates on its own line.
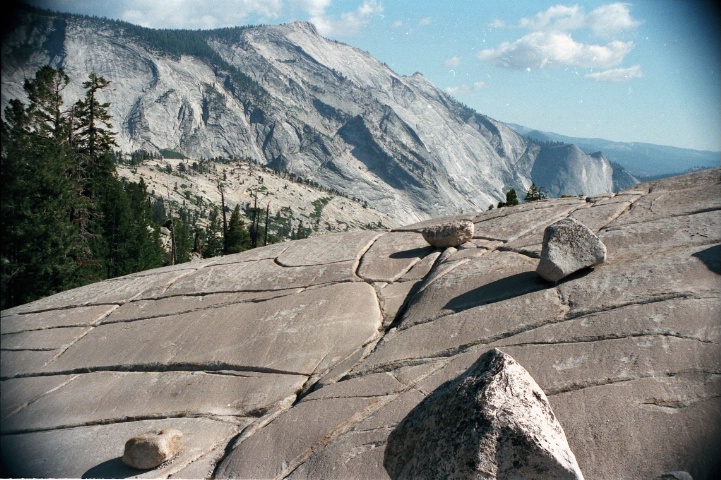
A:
(306, 359)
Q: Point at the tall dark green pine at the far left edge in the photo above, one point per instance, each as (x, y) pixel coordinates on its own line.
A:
(40, 252)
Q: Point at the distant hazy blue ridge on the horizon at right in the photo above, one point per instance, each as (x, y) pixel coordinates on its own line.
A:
(640, 159)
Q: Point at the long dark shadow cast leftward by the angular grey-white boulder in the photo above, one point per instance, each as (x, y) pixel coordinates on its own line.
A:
(498, 291)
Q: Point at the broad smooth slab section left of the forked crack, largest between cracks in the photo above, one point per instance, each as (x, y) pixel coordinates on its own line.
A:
(301, 334)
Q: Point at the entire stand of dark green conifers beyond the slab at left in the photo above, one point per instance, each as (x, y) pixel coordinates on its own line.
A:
(66, 219)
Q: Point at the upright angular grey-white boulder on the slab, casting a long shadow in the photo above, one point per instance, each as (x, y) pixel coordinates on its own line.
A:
(568, 246)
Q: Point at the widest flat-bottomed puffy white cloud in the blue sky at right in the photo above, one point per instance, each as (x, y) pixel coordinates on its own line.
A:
(543, 49)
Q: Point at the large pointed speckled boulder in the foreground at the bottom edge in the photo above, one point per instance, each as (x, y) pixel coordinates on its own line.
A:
(491, 422)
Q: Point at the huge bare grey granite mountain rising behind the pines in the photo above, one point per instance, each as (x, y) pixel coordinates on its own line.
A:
(286, 97)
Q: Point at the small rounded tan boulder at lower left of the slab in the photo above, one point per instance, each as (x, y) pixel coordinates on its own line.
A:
(150, 449)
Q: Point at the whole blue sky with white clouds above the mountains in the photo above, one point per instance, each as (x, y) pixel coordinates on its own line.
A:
(644, 71)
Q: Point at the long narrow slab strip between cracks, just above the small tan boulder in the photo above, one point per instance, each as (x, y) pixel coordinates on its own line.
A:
(115, 396)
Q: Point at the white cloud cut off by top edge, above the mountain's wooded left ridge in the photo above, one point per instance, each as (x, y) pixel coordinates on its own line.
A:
(190, 14)
